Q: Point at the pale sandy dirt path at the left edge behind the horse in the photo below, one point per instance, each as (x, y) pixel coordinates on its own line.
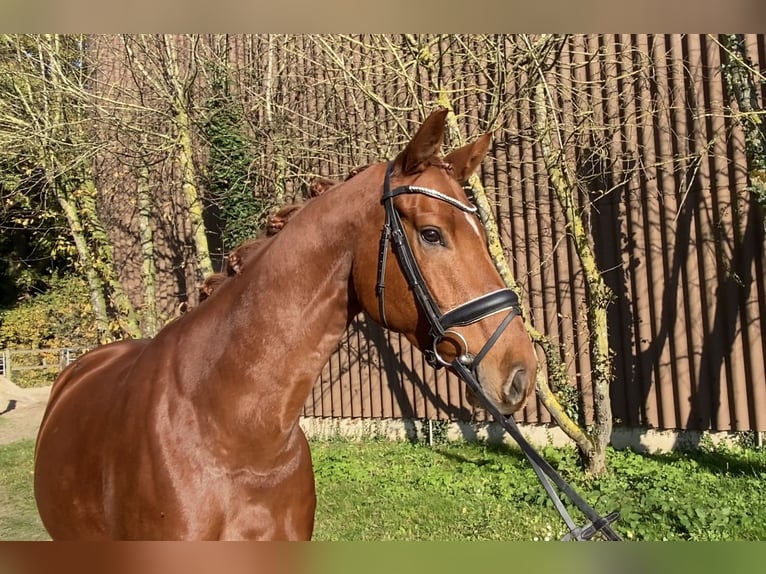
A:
(21, 411)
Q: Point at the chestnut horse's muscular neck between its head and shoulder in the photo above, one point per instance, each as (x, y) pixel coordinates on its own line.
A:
(271, 329)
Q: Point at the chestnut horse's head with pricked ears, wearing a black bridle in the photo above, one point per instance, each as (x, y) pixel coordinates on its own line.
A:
(467, 313)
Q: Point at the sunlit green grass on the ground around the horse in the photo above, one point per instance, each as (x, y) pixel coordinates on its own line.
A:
(379, 490)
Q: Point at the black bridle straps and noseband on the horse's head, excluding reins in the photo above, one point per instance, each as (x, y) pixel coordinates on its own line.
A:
(441, 324)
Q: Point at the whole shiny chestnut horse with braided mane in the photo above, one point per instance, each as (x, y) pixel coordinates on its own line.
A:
(195, 433)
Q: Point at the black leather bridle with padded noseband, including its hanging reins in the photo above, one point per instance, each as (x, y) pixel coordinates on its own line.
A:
(465, 364)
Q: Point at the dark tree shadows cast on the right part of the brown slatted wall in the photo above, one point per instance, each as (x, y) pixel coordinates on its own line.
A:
(636, 370)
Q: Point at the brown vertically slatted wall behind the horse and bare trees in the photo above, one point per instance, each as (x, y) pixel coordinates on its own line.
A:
(662, 165)
